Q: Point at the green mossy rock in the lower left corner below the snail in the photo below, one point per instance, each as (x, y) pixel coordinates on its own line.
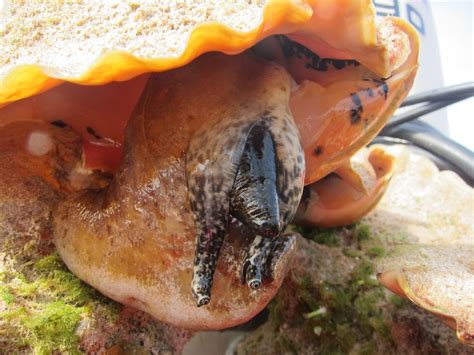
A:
(45, 309)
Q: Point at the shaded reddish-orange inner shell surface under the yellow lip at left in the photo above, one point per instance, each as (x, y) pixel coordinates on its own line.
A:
(106, 109)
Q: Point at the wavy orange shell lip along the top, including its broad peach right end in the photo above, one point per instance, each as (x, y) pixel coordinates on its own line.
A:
(315, 18)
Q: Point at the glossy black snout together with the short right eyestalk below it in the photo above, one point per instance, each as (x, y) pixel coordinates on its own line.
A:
(255, 201)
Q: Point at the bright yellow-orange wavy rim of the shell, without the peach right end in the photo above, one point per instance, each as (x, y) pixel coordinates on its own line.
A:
(23, 81)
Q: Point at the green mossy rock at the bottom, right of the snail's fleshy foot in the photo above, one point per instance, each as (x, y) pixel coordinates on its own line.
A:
(331, 302)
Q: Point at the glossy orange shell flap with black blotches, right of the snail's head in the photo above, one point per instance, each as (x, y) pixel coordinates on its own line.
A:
(330, 133)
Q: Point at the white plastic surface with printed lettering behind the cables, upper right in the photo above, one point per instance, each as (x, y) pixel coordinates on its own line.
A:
(446, 56)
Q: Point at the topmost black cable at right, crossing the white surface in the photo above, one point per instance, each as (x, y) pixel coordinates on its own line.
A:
(447, 93)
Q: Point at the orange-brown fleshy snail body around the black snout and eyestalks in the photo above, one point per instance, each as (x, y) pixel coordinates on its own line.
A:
(135, 240)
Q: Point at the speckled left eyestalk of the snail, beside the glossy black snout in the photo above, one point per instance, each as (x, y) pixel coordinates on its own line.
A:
(212, 163)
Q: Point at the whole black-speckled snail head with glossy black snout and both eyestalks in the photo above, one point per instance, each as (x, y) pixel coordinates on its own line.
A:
(248, 164)
